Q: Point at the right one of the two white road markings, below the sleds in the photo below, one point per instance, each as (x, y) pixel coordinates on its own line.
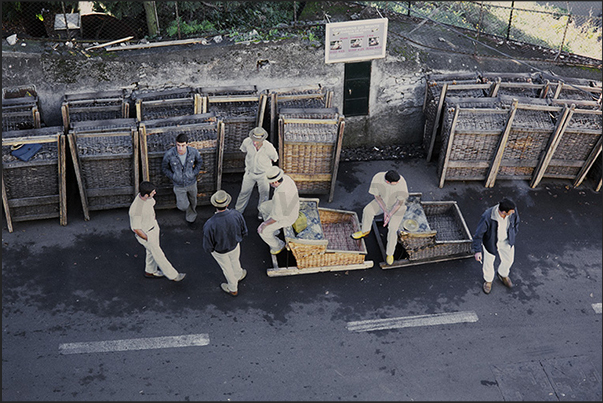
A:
(412, 321)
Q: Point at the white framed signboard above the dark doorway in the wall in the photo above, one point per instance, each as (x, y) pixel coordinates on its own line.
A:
(355, 40)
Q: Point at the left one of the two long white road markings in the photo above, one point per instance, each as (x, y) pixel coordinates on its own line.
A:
(190, 340)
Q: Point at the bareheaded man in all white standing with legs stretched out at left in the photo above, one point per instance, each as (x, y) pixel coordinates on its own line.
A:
(146, 228)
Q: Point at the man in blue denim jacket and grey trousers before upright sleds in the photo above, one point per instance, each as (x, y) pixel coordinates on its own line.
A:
(182, 164)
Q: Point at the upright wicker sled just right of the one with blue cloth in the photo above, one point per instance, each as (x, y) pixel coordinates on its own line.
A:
(106, 160)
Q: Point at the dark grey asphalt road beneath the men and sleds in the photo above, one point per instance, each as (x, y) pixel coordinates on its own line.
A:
(290, 338)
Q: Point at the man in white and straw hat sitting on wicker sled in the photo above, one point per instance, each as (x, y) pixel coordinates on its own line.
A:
(281, 211)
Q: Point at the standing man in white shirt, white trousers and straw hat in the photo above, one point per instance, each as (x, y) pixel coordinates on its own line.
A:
(259, 156)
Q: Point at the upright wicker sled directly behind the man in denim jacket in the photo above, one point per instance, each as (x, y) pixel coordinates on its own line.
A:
(205, 133)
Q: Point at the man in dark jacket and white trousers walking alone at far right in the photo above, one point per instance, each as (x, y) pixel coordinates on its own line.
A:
(495, 235)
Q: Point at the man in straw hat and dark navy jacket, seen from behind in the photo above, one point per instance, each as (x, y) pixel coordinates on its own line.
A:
(222, 235)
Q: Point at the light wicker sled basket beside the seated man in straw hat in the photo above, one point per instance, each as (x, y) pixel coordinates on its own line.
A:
(332, 247)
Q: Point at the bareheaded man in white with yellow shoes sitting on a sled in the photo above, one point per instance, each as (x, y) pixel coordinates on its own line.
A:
(390, 194)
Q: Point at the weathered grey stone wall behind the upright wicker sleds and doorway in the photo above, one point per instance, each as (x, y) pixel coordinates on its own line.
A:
(396, 94)
